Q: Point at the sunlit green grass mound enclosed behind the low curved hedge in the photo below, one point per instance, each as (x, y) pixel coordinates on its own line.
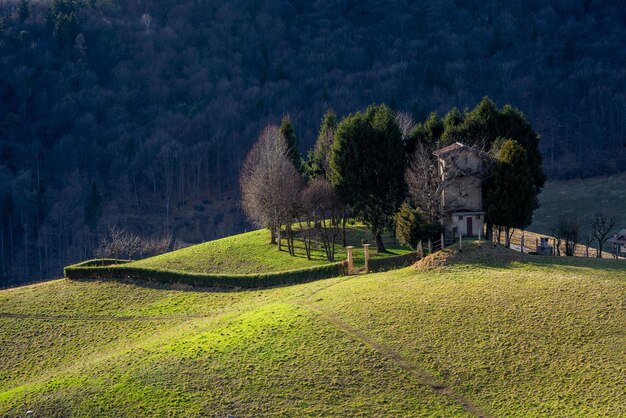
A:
(251, 253)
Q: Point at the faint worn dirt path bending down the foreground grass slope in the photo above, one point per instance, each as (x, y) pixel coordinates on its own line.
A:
(423, 376)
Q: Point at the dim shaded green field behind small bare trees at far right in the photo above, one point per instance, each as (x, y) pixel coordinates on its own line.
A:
(581, 197)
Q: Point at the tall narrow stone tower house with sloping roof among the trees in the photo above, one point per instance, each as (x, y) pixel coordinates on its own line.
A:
(460, 168)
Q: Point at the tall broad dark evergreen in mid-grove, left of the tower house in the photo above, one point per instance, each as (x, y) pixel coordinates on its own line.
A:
(367, 167)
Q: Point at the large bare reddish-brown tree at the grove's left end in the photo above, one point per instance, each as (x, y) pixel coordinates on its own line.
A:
(270, 185)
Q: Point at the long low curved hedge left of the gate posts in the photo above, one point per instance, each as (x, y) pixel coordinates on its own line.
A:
(87, 270)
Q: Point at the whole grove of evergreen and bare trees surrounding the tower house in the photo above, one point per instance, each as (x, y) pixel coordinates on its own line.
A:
(380, 167)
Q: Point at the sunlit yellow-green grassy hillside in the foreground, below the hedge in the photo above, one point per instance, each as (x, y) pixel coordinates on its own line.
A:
(480, 332)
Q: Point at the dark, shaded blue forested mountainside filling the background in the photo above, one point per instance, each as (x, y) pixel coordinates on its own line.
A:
(139, 114)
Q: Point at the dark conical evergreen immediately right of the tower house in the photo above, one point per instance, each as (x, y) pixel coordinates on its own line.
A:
(511, 198)
